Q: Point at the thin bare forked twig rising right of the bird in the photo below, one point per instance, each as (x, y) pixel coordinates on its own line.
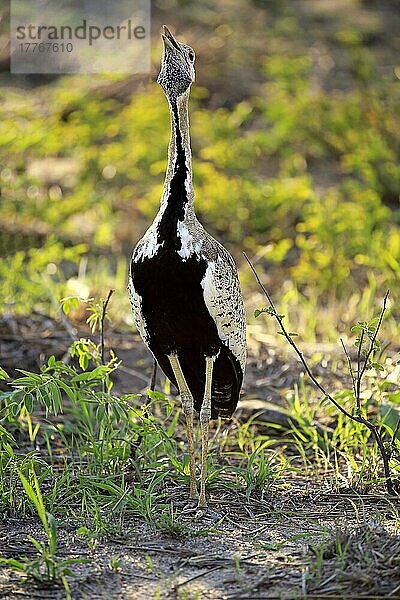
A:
(357, 417)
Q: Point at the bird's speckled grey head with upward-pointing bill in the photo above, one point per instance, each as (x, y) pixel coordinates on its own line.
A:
(177, 67)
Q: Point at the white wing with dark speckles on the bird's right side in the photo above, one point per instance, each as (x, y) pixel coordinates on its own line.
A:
(224, 302)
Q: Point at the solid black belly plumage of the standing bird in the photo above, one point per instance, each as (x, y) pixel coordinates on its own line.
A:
(177, 321)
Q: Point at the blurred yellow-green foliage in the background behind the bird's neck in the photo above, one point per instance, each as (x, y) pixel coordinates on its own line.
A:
(303, 175)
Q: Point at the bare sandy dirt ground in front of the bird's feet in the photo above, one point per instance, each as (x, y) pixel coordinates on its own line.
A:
(264, 549)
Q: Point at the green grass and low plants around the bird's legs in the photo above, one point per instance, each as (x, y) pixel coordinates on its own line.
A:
(110, 458)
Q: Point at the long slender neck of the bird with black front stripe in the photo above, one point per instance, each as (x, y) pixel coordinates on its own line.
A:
(178, 186)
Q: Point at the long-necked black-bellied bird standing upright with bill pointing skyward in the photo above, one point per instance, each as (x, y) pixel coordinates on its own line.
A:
(183, 284)
